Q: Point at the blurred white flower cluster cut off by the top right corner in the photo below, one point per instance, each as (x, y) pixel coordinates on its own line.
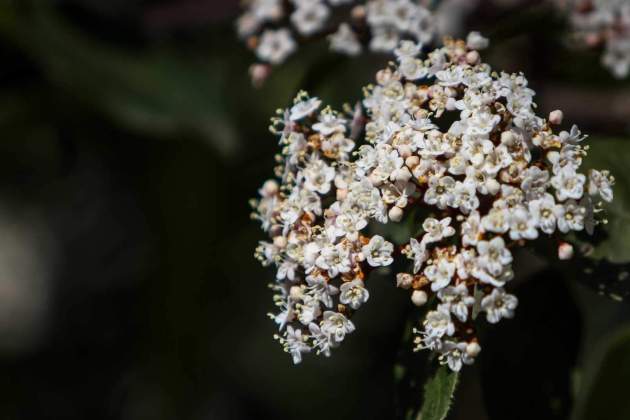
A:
(603, 22)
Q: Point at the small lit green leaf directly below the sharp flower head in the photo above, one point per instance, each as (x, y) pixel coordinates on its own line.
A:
(438, 394)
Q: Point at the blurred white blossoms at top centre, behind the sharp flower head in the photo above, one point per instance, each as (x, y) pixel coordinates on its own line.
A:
(275, 28)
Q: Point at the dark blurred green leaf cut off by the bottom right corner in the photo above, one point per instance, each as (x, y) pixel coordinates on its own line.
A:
(604, 395)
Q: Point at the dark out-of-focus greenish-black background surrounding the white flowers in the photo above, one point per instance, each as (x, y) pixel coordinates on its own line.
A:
(131, 140)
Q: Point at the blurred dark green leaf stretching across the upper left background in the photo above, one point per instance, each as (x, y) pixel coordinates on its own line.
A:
(158, 92)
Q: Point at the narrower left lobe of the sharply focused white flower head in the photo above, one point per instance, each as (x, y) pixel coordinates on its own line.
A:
(314, 217)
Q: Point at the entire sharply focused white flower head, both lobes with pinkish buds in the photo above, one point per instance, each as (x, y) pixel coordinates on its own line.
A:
(455, 148)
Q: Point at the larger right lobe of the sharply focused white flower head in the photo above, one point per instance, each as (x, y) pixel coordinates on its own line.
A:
(462, 142)
